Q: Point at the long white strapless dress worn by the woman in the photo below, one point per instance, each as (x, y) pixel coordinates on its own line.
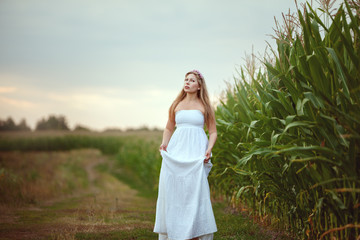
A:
(183, 209)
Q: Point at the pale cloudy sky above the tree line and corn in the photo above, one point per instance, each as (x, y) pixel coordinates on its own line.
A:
(120, 64)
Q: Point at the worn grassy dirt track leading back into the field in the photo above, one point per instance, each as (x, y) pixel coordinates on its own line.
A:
(107, 209)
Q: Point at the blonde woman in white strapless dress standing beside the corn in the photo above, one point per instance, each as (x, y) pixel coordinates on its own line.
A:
(183, 209)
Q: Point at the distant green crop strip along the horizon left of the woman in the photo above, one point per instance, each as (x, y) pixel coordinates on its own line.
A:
(107, 143)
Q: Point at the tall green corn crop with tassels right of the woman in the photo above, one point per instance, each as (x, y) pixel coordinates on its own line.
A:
(288, 149)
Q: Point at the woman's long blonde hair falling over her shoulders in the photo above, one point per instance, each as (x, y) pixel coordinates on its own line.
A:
(202, 94)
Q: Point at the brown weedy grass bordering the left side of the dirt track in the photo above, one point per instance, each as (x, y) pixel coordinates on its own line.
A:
(27, 178)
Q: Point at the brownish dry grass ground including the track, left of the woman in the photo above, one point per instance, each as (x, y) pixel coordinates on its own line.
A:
(103, 205)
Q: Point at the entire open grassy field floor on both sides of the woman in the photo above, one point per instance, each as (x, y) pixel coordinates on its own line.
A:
(86, 194)
